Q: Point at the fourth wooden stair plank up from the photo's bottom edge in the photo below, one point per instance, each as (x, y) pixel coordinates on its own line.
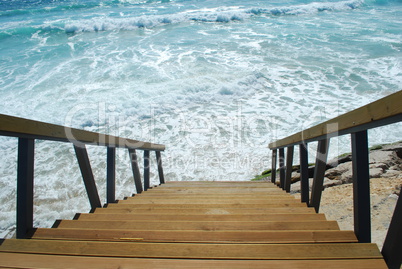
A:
(201, 225)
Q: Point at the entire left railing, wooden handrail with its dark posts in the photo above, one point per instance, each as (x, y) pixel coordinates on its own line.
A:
(27, 131)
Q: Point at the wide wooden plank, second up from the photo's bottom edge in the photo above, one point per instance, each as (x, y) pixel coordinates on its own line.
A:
(194, 251)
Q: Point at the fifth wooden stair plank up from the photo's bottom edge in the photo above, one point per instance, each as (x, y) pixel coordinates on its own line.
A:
(204, 217)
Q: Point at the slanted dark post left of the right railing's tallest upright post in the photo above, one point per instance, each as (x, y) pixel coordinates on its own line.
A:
(319, 172)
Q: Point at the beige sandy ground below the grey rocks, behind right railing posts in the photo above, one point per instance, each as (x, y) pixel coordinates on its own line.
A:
(337, 204)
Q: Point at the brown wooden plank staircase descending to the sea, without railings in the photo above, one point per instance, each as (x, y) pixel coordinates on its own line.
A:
(195, 225)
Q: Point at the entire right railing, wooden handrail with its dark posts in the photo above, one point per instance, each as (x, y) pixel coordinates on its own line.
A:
(356, 123)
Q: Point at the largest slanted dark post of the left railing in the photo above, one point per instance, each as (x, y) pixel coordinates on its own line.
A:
(87, 175)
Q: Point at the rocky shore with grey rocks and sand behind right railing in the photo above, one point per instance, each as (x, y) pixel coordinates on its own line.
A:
(385, 183)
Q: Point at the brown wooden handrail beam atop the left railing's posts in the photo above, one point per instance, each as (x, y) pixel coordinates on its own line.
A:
(19, 127)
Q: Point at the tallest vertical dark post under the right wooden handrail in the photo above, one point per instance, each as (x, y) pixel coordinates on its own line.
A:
(361, 186)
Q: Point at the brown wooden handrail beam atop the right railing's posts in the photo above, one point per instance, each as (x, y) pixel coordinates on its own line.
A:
(384, 111)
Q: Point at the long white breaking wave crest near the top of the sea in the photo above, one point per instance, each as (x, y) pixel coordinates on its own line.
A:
(213, 15)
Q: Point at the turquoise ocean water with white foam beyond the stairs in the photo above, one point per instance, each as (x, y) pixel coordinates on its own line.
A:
(215, 81)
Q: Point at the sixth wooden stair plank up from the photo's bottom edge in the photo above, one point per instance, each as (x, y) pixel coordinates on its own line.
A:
(160, 211)
